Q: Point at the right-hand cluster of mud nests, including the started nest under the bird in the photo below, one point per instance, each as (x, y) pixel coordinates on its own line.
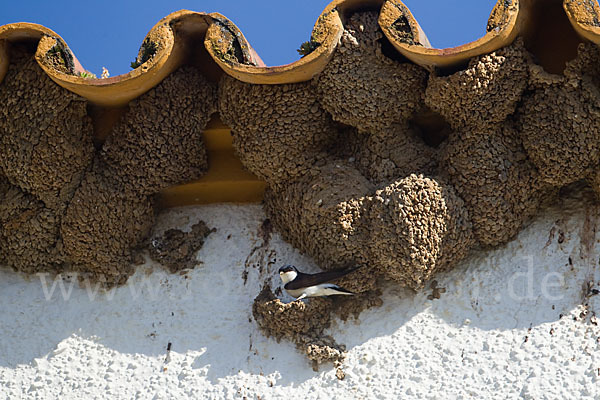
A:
(367, 184)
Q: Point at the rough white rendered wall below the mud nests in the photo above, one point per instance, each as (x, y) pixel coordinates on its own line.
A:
(491, 334)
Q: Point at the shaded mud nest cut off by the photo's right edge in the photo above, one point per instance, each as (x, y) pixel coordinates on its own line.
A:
(559, 119)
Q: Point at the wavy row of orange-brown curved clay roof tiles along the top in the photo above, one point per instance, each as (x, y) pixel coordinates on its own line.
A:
(170, 45)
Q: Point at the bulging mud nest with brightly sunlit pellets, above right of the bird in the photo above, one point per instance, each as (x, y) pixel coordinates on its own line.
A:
(419, 226)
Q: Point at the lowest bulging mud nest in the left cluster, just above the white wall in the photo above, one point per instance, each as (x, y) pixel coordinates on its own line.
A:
(102, 224)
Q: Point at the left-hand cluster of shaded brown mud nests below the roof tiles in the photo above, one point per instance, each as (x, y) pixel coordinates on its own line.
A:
(66, 205)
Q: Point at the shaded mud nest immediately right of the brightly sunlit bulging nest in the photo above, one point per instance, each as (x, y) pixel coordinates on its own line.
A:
(491, 172)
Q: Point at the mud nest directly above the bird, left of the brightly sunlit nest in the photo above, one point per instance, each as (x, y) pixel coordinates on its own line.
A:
(324, 215)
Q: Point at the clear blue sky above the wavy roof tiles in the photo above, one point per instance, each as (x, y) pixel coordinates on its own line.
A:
(108, 33)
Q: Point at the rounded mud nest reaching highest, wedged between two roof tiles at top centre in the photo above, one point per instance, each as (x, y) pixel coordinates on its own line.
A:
(362, 87)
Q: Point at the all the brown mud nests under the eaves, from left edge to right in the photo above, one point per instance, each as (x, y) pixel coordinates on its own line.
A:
(354, 175)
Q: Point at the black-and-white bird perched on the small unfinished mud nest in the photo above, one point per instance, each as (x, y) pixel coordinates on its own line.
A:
(300, 285)
